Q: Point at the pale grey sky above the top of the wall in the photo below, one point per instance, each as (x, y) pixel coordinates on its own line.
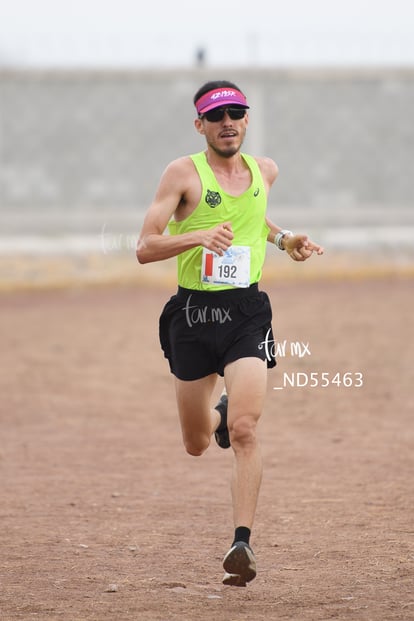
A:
(167, 34)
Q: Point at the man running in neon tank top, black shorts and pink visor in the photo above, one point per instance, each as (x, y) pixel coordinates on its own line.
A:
(214, 205)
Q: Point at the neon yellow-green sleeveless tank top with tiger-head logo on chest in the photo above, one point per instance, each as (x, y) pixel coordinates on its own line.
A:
(245, 212)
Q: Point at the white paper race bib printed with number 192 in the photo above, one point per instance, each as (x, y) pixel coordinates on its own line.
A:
(231, 268)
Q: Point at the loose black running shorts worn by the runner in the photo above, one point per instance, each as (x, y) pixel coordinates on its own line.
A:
(203, 331)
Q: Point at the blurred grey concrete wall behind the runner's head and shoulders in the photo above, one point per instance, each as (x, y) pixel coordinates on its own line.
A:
(86, 143)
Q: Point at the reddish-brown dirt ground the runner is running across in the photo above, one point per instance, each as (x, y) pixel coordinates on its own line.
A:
(103, 515)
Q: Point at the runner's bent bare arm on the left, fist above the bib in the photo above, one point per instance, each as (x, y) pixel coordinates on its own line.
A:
(153, 244)
